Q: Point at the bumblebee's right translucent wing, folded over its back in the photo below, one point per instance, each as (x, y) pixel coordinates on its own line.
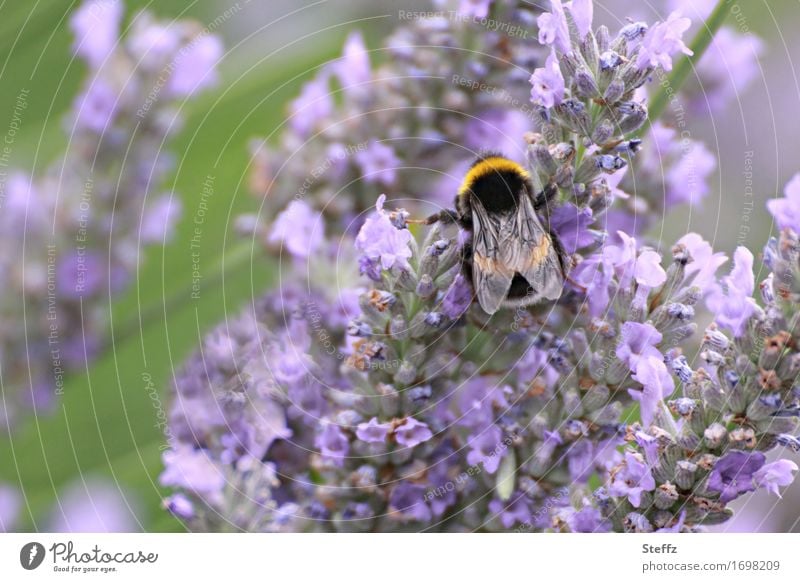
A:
(526, 248)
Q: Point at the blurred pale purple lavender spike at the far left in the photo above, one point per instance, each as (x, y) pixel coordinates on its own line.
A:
(72, 235)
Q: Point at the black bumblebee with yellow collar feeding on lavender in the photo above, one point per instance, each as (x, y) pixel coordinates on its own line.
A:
(512, 260)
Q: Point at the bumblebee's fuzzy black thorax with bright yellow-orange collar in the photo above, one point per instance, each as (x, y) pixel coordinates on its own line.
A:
(496, 182)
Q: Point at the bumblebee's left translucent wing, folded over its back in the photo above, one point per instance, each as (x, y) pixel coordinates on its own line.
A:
(491, 277)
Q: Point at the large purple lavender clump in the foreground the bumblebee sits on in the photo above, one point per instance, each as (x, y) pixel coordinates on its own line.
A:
(397, 404)
